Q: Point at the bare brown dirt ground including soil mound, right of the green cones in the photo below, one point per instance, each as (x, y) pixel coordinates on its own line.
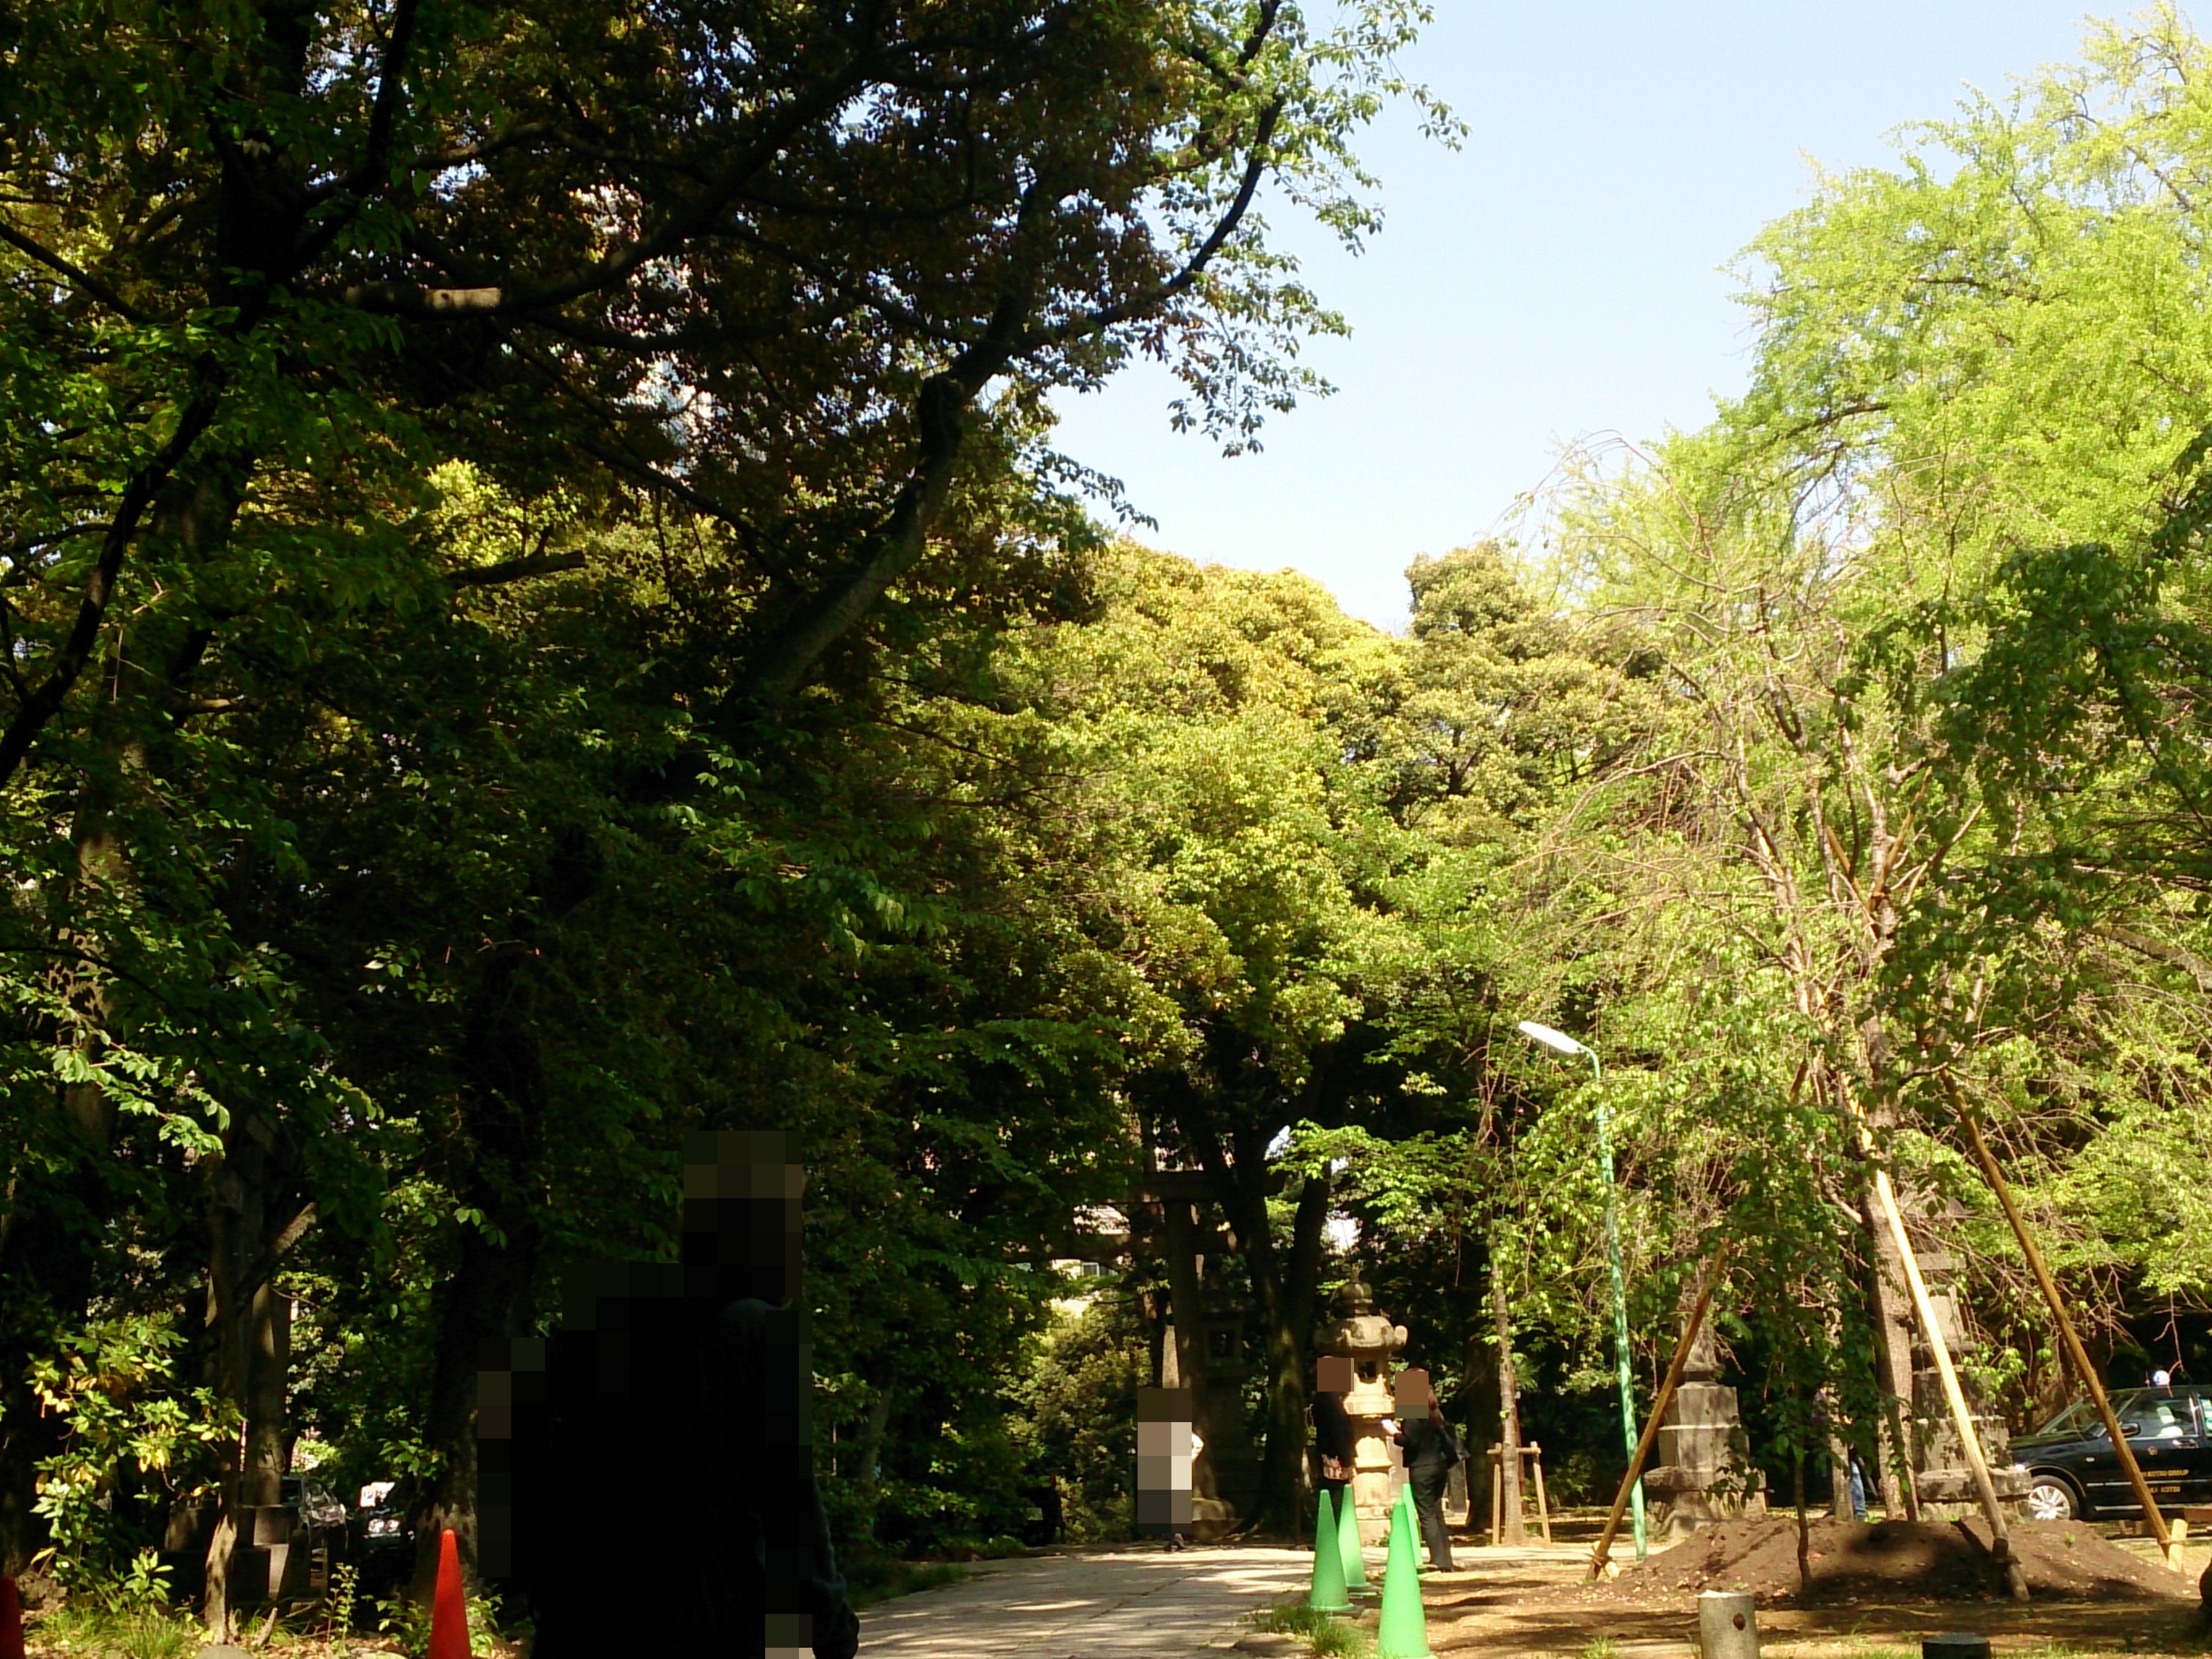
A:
(1870, 1598)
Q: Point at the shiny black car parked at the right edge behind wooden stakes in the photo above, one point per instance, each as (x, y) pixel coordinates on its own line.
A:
(2074, 1470)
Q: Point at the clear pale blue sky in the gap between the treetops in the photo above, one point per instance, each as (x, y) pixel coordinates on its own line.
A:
(1556, 278)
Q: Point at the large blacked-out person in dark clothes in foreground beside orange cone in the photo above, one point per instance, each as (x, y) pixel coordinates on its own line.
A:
(649, 1470)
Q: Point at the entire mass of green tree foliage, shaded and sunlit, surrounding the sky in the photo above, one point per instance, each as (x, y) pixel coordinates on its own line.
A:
(541, 614)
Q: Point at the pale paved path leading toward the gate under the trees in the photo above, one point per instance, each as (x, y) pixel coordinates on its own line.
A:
(1109, 1605)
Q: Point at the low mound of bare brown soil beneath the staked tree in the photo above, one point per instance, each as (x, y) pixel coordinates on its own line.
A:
(1892, 1563)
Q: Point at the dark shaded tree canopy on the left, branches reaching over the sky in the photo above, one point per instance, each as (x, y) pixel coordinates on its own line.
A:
(747, 317)
